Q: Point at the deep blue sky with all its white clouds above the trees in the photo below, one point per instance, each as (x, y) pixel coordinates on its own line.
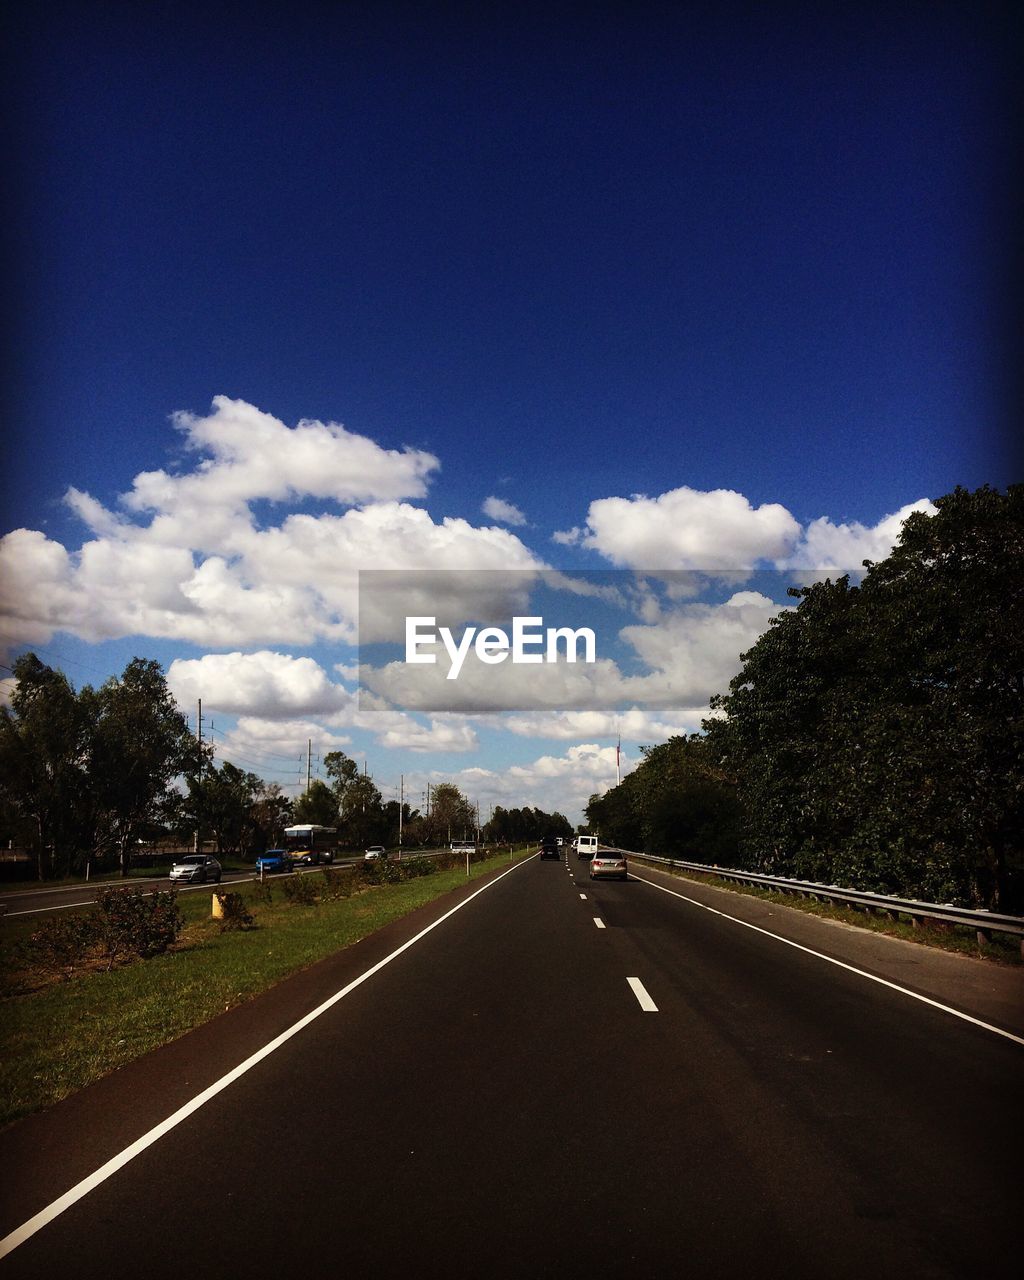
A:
(676, 301)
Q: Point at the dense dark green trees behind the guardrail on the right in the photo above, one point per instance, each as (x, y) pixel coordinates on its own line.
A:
(875, 734)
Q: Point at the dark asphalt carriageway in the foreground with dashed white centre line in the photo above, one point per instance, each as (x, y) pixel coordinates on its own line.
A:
(497, 1101)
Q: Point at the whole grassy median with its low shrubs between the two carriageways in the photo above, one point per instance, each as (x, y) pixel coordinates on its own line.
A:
(71, 1014)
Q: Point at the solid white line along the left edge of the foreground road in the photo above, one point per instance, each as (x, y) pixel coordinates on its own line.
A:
(29, 1229)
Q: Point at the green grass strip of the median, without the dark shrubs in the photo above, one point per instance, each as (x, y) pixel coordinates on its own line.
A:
(60, 1036)
